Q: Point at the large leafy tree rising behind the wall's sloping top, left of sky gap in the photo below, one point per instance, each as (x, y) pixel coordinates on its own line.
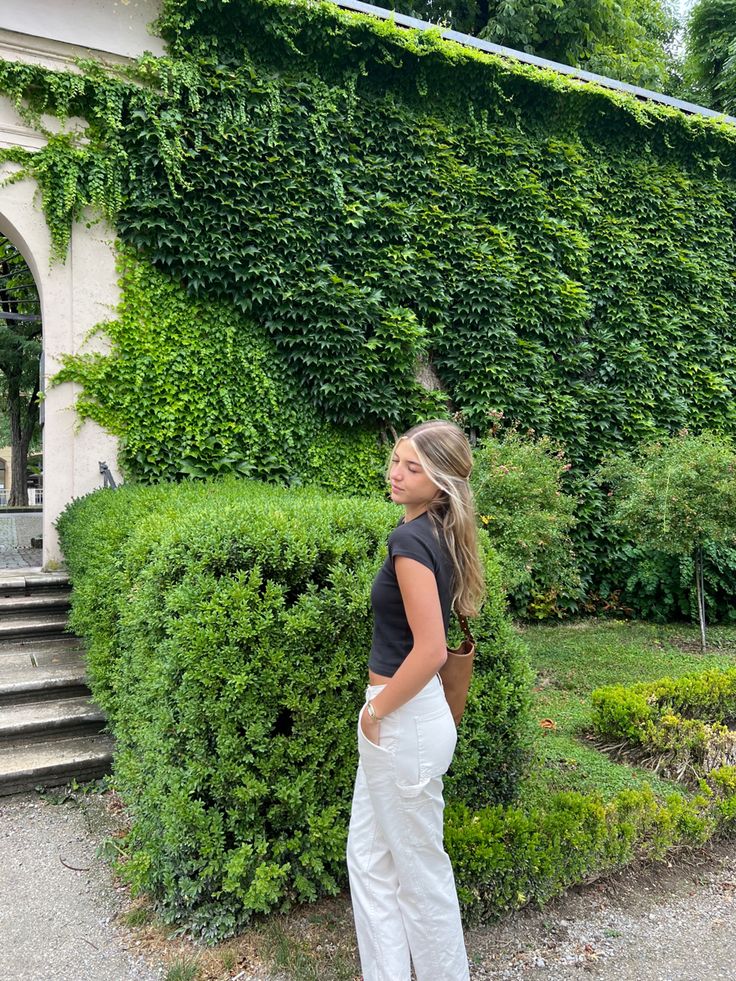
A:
(624, 39)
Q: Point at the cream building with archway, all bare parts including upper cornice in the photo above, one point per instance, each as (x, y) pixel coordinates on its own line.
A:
(82, 291)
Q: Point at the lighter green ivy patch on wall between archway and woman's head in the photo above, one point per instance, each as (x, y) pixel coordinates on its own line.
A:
(195, 389)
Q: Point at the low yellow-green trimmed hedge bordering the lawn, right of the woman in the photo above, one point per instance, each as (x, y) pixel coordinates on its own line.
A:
(506, 857)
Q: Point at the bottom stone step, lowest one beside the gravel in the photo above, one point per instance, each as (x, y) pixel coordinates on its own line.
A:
(52, 763)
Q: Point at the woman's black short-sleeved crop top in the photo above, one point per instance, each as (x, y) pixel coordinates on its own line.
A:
(392, 636)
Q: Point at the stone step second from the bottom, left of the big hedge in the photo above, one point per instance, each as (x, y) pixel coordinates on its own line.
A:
(41, 721)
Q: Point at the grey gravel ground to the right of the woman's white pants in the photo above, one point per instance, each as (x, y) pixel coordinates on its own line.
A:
(668, 923)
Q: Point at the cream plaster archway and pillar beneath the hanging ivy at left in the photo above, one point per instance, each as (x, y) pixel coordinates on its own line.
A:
(75, 296)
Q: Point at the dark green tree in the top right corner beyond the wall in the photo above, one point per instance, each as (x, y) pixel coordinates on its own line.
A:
(710, 63)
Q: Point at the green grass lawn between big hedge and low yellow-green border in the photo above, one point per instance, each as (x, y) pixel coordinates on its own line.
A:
(573, 659)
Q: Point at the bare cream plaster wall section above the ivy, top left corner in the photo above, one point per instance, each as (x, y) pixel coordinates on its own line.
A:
(117, 27)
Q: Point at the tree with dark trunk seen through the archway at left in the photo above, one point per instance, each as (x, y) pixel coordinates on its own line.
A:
(20, 352)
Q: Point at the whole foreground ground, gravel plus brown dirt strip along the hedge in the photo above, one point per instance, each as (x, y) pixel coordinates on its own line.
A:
(671, 922)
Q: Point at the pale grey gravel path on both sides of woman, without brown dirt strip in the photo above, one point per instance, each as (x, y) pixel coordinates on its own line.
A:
(59, 907)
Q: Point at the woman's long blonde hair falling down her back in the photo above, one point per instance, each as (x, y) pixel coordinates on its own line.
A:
(444, 452)
